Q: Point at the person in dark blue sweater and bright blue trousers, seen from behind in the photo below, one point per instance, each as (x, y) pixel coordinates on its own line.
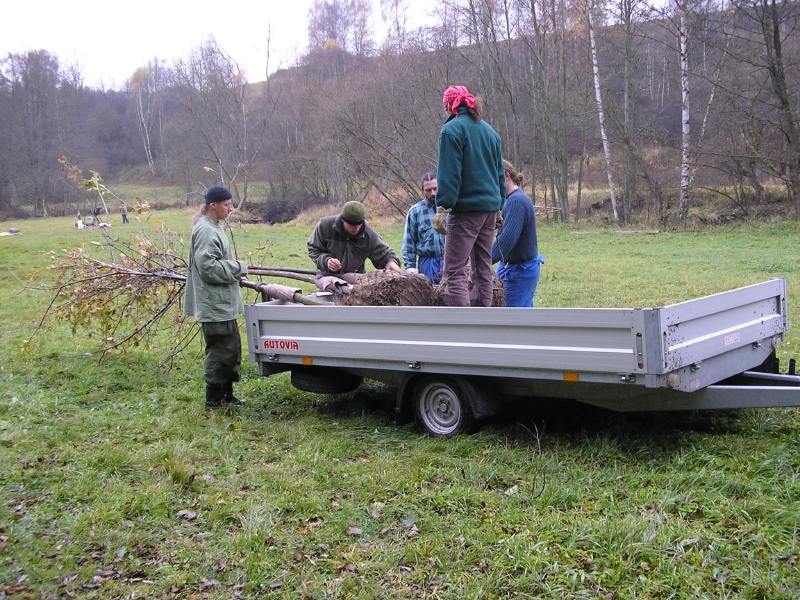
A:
(517, 247)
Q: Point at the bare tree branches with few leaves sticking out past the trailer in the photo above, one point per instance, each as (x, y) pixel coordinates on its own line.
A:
(127, 293)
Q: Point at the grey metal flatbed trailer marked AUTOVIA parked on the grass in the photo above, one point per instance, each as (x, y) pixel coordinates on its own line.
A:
(454, 365)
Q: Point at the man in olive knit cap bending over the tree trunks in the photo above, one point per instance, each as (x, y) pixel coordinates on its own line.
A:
(341, 244)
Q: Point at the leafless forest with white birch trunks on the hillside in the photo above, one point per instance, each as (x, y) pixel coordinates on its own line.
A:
(663, 102)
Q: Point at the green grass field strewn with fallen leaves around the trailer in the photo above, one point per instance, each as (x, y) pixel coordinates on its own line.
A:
(115, 483)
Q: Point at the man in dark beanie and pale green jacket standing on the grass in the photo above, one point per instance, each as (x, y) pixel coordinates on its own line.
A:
(213, 298)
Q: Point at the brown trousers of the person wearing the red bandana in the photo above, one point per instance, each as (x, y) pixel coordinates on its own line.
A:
(469, 238)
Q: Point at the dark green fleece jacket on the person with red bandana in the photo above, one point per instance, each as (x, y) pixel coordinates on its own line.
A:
(470, 176)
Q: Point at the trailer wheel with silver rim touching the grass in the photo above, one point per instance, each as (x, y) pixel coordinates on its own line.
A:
(441, 407)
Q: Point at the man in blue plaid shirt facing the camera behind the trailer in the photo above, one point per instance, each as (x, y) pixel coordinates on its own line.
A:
(420, 239)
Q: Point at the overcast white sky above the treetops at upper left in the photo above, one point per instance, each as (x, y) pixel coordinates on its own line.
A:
(111, 39)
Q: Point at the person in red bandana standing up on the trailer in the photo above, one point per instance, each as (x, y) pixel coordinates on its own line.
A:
(471, 183)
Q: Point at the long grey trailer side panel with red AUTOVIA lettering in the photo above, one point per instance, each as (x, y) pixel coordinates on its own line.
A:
(601, 340)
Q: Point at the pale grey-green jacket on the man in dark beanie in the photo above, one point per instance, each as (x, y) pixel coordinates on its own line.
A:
(212, 282)
